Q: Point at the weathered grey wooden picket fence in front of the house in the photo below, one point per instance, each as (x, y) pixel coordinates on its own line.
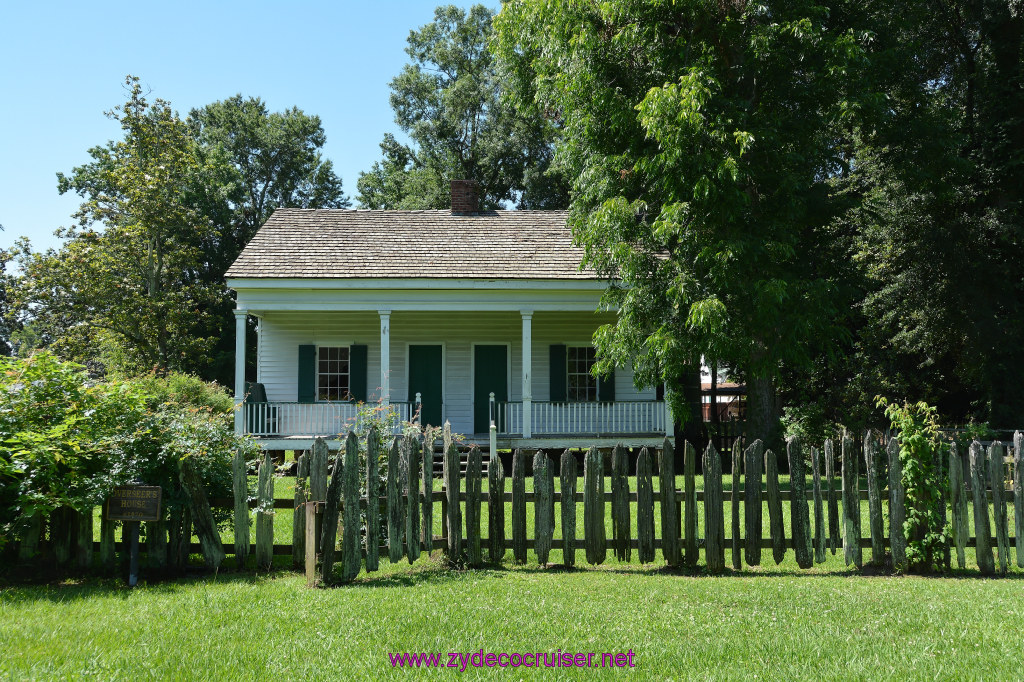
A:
(408, 504)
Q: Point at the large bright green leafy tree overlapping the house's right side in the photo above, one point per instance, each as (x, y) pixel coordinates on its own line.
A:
(703, 139)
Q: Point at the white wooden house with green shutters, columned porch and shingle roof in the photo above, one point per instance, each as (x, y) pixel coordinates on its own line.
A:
(445, 308)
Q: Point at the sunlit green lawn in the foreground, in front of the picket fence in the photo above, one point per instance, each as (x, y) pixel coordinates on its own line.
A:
(780, 625)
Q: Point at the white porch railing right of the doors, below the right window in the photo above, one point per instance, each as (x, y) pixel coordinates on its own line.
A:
(619, 417)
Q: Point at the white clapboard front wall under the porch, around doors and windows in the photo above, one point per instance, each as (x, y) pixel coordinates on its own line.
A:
(281, 334)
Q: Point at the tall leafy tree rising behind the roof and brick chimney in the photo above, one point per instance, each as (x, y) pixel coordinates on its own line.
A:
(449, 102)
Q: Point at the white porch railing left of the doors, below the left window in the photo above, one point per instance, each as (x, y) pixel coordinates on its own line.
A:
(309, 419)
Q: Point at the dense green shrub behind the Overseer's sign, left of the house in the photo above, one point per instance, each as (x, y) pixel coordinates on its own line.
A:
(67, 441)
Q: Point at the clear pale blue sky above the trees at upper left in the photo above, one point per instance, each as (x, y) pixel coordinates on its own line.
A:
(64, 65)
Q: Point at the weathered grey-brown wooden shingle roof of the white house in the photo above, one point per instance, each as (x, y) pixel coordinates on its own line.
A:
(344, 244)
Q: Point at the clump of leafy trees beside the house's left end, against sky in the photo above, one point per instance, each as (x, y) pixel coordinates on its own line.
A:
(165, 211)
